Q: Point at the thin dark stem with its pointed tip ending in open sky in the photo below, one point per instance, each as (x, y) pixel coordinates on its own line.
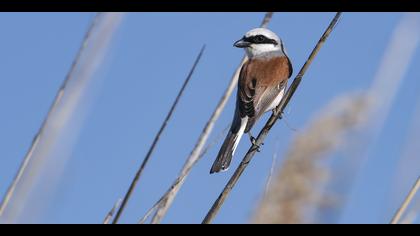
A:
(156, 140)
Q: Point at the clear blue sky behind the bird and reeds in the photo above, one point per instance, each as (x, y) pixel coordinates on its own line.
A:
(149, 58)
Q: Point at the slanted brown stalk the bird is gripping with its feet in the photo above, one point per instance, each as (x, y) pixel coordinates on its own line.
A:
(270, 123)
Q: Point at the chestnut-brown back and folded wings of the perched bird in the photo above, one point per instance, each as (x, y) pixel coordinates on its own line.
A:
(260, 82)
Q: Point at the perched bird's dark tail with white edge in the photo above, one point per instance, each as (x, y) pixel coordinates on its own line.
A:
(225, 154)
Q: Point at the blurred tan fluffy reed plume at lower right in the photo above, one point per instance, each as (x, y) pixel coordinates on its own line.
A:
(297, 187)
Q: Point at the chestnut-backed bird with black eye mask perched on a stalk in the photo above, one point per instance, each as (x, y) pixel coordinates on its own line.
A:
(261, 86)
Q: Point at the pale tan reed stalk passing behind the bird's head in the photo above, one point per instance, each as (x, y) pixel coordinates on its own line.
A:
(196, 152)
